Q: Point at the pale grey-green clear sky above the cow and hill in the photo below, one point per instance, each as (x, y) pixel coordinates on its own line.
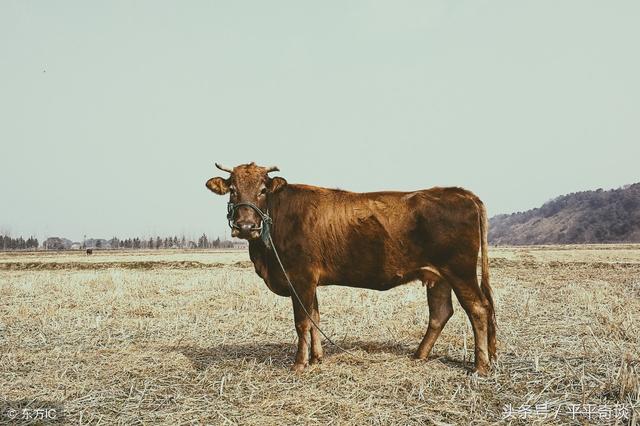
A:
(112, 114)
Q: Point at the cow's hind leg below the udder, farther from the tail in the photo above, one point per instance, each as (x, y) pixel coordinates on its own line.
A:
(440, 310)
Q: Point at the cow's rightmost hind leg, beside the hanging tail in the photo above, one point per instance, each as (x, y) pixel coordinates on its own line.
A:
(477, 308)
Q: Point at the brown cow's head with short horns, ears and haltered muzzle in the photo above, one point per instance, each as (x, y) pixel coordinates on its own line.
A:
(247, 183)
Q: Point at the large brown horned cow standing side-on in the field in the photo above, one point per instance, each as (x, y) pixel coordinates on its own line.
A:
(376, 240)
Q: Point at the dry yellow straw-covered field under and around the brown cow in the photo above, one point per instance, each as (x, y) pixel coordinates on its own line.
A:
(197, 338)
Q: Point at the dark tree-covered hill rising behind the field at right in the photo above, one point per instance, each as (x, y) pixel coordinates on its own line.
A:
(581, 217)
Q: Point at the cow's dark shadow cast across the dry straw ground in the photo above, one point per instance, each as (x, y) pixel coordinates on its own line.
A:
(281, 355)
